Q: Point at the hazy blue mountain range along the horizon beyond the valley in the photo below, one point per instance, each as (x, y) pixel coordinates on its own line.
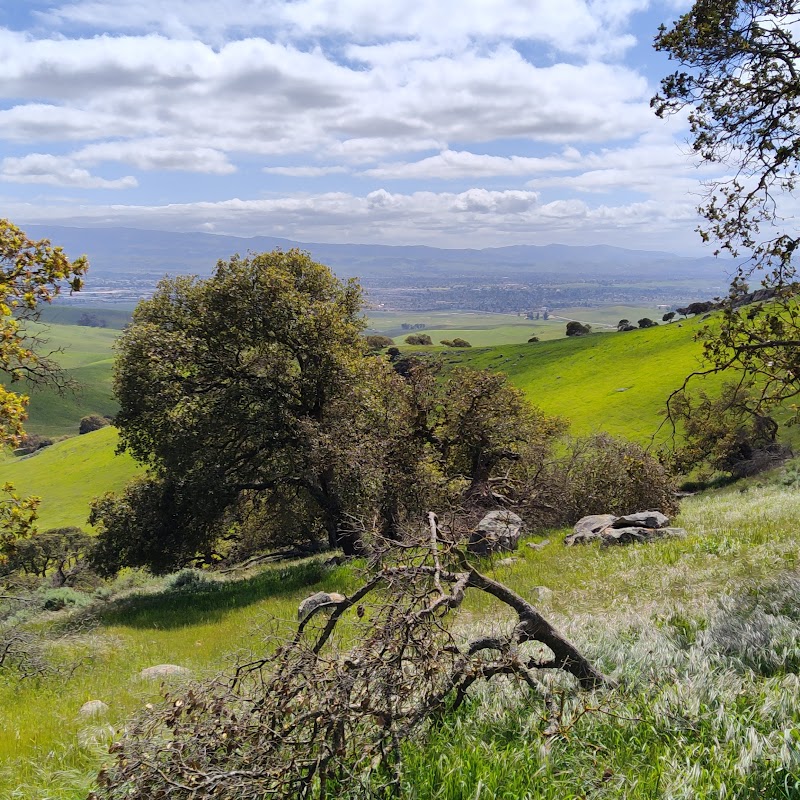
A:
(115, 251)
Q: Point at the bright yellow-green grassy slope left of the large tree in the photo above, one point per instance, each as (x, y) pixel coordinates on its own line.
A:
(68, 474)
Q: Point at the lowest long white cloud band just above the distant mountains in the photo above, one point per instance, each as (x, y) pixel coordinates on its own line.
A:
(476, 217)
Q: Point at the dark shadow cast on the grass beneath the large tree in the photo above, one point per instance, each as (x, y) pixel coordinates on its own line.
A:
(172, 609)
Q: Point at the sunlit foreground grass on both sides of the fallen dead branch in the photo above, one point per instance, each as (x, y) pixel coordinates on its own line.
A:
(688, 721)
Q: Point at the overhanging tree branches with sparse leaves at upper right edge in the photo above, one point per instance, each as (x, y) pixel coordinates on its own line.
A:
(739, 79)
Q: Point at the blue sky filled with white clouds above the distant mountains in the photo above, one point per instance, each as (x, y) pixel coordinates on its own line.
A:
(453, 123)
